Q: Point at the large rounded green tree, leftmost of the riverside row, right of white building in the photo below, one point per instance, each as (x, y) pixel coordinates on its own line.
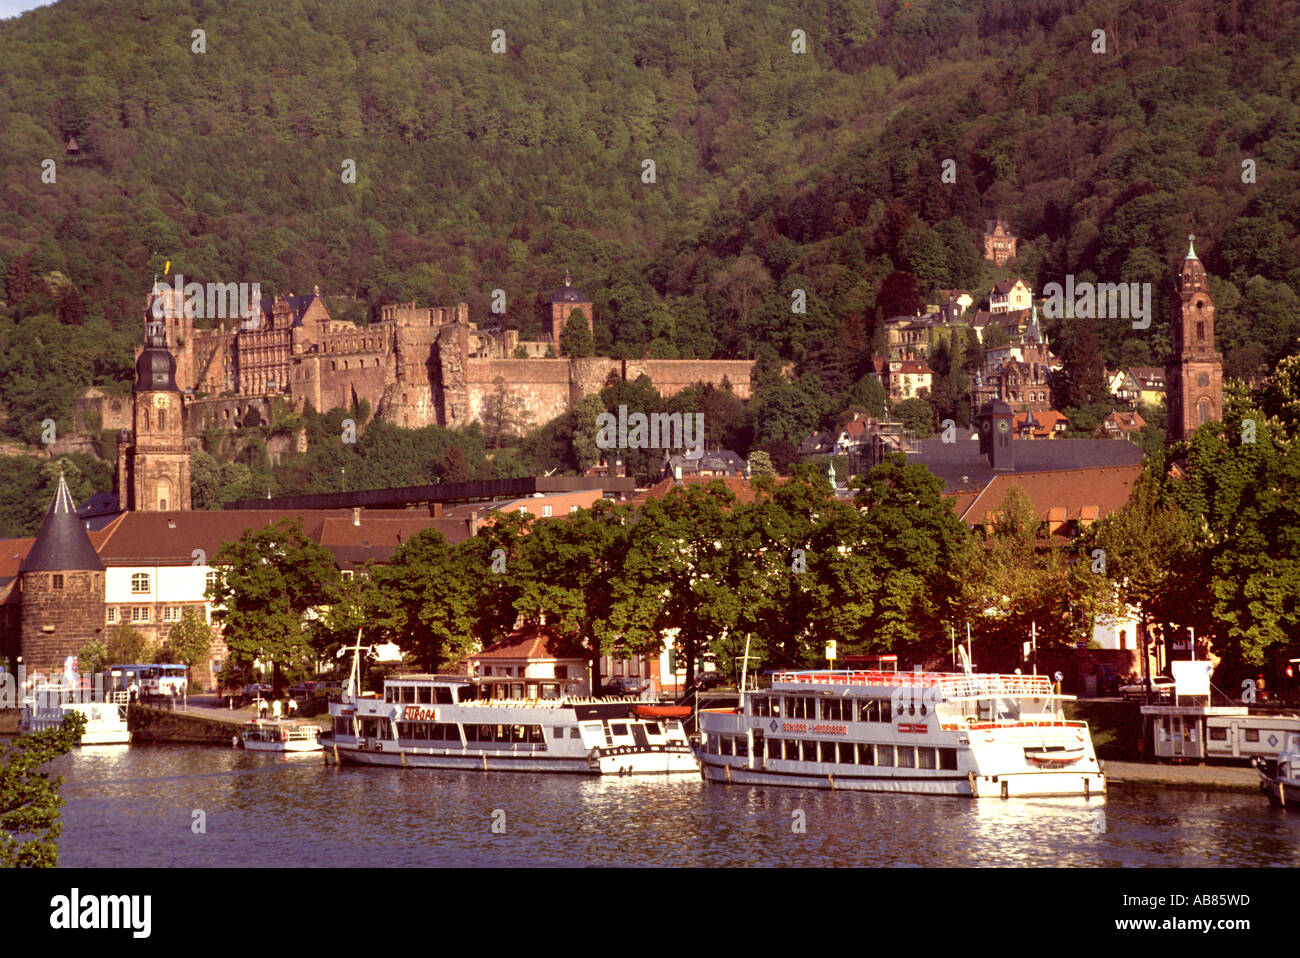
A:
(270, 582)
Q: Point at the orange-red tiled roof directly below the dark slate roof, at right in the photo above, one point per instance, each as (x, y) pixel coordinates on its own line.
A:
(1082, 493)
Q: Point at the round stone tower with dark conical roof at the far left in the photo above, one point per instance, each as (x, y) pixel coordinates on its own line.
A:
(63, 589)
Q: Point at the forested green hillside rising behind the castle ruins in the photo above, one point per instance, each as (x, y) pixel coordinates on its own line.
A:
(773, 170)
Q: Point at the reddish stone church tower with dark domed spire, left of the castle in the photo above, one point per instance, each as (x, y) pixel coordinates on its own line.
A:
(154, 469)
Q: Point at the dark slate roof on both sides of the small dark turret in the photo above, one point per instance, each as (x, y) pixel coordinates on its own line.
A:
(952, 462)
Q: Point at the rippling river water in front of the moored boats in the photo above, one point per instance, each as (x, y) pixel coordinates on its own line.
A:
(161, 805)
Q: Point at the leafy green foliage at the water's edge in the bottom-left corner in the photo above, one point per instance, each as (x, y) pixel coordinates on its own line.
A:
(29, 796)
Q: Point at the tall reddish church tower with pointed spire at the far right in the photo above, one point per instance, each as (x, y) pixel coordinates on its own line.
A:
(1194, 374)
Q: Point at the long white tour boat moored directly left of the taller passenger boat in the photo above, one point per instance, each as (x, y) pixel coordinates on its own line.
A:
(462, 722)
